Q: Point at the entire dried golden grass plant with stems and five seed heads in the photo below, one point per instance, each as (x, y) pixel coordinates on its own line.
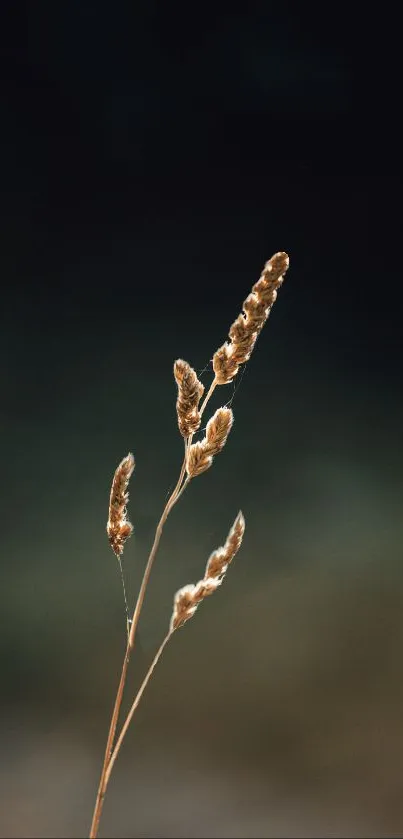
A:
(198, 458)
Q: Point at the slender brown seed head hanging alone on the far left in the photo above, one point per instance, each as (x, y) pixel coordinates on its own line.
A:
(118, 527)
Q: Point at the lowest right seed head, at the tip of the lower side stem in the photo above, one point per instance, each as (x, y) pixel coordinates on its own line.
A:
(188, 598)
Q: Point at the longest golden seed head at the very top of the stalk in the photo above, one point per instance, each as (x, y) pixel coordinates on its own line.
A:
(246, 328)
